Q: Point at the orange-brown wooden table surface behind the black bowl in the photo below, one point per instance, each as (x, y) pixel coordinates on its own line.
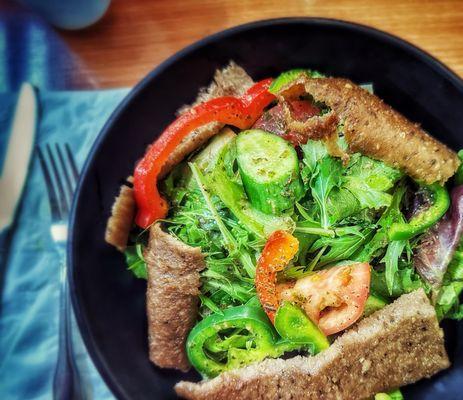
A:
(136, 35)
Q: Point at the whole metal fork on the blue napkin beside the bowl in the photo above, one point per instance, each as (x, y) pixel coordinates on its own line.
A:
(61, 175)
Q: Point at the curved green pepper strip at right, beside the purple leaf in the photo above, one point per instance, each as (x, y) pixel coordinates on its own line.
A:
(424, 220)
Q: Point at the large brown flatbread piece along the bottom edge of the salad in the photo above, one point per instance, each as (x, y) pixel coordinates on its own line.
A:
(395, 346)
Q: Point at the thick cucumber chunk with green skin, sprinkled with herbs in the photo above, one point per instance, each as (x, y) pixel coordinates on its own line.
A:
(277, 195)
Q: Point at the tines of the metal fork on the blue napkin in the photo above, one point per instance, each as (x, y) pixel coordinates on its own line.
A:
(61, 175)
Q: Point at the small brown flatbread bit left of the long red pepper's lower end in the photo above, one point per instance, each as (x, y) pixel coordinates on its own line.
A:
(122, 215)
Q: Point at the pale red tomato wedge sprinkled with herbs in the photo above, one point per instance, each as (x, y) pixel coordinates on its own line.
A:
(333, 298)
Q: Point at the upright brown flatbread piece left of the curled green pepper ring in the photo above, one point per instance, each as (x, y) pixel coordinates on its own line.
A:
(171, 297)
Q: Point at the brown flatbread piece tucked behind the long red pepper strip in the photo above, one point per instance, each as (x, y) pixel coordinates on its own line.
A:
(230, 81)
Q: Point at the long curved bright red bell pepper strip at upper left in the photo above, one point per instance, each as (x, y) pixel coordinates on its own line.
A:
(241, 112)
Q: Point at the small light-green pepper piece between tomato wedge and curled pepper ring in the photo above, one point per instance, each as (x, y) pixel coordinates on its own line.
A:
(293, 325)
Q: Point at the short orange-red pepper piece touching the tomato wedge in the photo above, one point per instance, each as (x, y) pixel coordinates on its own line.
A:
(279, 250)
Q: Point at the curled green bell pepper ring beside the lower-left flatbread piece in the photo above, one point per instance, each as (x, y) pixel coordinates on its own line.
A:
(238, 337)
